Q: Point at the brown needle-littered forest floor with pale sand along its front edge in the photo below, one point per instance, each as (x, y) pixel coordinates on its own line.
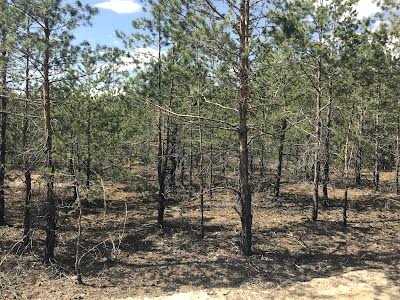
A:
(128, 257)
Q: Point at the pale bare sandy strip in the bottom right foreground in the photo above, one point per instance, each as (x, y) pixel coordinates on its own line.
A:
(350, 285)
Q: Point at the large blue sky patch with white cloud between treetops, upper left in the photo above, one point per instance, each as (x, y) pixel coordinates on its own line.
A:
(113, 15)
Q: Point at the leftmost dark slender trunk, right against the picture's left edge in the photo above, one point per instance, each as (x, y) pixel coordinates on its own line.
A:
(4, 102)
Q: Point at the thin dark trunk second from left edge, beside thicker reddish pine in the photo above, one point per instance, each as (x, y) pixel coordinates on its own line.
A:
(26, 161)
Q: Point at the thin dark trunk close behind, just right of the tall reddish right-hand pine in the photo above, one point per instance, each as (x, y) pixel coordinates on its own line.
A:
(326, 178)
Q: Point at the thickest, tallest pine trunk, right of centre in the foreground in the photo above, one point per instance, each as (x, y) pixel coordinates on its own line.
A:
(245, 193)
